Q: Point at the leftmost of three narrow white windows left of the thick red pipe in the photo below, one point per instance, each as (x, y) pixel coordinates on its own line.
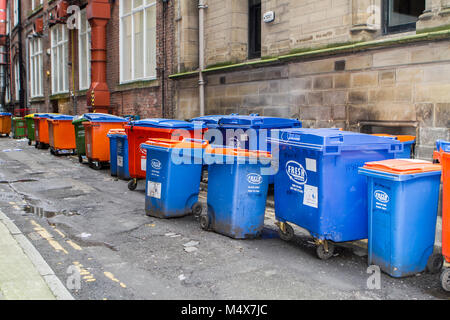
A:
(36, 71)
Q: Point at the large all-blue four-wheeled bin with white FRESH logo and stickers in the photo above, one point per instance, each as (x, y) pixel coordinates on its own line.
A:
(318, 187)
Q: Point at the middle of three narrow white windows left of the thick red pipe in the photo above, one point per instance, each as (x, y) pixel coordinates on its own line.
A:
(60, 79)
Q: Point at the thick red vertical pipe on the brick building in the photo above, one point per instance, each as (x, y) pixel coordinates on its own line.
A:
(98, 96)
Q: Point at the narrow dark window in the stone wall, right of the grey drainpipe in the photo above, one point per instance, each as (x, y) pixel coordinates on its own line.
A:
(254, 29)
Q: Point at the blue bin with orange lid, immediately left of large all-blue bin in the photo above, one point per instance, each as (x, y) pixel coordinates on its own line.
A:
(237, 191)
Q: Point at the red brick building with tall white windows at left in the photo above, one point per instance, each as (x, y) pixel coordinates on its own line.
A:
(49, 54)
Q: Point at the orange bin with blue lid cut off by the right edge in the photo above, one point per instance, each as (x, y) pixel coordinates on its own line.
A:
(444, 151)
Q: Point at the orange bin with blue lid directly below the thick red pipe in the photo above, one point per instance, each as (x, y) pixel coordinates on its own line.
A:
(96, 128)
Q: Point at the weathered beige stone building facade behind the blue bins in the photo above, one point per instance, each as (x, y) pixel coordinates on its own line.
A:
(362, 65)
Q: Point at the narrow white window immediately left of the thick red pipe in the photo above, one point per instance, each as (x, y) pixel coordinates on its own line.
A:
(84, 52)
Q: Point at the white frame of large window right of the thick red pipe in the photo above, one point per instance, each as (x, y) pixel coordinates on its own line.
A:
(122, 17)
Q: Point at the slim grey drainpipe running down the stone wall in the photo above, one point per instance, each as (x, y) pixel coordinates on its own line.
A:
(201, 54)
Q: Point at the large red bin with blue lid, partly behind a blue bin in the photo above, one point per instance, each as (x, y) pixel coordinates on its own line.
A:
(140, 131)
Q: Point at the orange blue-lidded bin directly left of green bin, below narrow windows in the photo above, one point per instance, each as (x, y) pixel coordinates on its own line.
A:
(61, 134)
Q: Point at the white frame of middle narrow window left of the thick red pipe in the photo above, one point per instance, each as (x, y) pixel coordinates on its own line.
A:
(55, 52)
